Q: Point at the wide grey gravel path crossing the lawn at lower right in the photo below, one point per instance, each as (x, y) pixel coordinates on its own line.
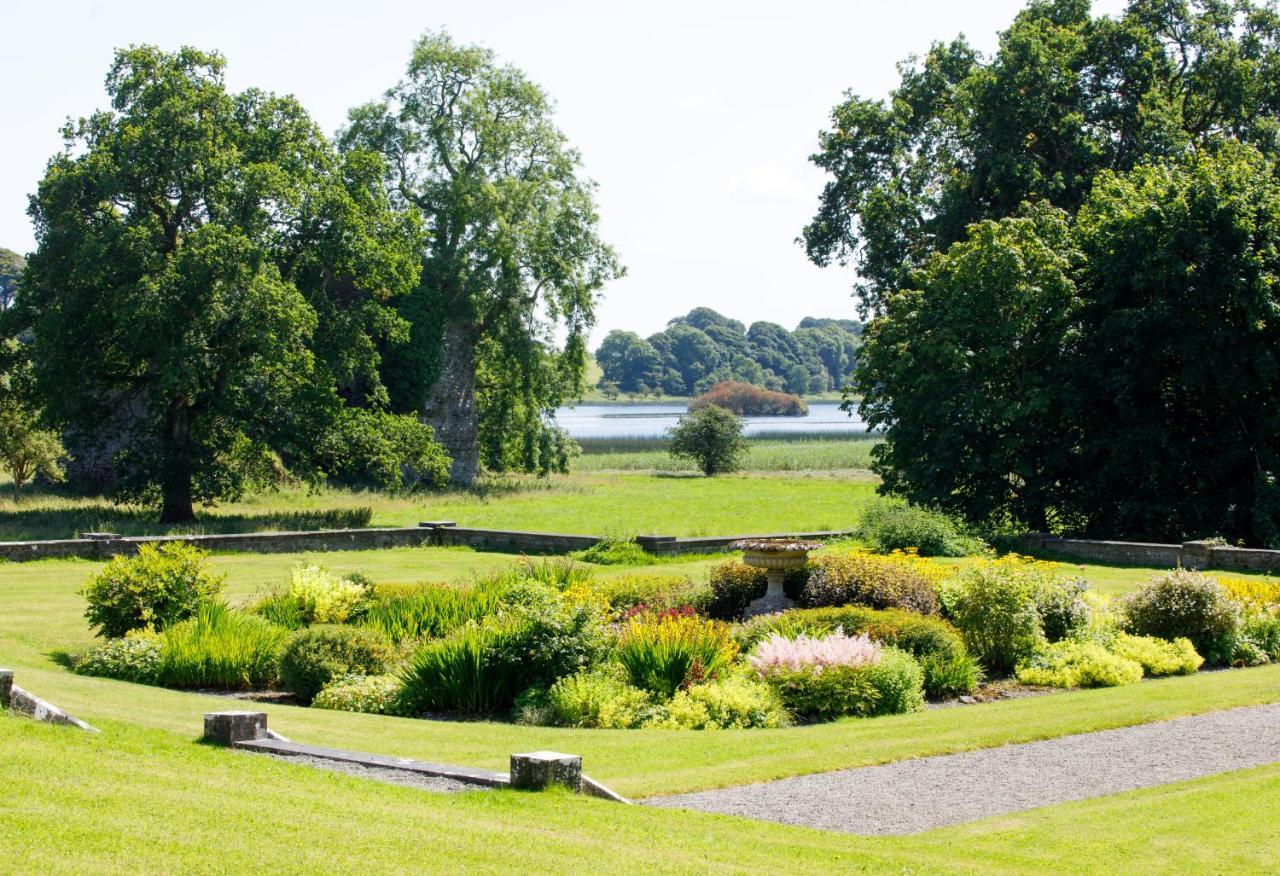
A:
(913, 796)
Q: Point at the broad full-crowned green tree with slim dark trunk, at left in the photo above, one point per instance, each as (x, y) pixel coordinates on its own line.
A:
(208, 266)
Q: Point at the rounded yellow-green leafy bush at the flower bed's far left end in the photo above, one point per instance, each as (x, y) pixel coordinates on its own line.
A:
(154, 590)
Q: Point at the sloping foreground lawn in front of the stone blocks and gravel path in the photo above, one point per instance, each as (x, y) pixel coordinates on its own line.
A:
(152, 801)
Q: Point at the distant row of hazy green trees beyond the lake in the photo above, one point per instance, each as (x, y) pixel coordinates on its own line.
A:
(697, 352)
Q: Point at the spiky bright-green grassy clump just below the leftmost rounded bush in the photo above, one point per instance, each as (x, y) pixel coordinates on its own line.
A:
(221, 649)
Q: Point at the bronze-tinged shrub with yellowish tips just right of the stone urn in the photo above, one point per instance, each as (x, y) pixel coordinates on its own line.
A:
(898, 581)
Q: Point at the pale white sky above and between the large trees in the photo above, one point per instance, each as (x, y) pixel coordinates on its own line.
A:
(696, 120)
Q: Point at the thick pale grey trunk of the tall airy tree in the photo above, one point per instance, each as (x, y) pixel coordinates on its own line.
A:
(451, 405)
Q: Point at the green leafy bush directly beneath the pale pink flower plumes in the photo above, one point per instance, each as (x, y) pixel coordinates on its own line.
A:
(892, 687)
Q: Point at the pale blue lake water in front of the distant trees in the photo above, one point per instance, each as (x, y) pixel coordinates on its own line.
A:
(653, 421)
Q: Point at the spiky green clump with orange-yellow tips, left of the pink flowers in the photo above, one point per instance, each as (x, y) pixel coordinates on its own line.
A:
(665, 653)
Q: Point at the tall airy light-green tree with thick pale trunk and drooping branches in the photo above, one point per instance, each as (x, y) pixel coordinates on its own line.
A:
(515, 253)
